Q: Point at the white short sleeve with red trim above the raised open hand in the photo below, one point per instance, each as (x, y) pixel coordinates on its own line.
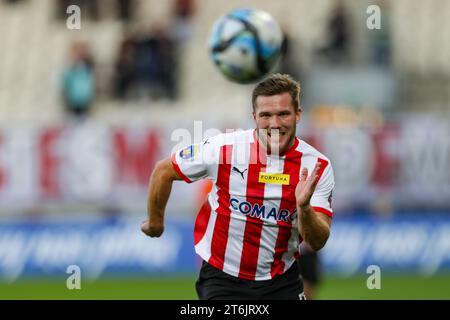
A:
(322, 196)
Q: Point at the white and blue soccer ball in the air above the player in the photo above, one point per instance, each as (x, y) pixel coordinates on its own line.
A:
(245, 44)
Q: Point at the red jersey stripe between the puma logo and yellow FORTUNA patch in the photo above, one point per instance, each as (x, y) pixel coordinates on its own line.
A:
(253, 225)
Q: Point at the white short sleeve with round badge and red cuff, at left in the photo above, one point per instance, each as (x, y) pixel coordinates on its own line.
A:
(195, 162)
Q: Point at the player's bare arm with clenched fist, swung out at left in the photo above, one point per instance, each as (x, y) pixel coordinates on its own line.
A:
(159, 189)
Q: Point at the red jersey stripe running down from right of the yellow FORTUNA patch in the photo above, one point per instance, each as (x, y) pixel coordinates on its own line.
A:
(292, 164)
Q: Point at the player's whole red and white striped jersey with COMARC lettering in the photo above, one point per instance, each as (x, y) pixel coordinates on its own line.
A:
(248, 226)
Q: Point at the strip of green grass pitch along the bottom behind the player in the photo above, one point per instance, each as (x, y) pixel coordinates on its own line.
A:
(177, 288)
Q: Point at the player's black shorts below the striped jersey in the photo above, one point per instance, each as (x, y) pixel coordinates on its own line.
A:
(214, 284)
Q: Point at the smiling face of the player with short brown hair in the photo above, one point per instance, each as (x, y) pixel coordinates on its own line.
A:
(276, 121)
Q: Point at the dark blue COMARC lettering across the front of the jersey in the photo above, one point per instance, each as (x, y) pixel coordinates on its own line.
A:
(262, 212)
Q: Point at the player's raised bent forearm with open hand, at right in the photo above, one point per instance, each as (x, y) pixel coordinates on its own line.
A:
(313, 227)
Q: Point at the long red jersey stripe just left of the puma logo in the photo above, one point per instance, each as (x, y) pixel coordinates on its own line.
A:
(220, 233)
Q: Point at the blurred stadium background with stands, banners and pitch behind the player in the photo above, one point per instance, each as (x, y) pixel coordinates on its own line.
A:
(85, 114)
